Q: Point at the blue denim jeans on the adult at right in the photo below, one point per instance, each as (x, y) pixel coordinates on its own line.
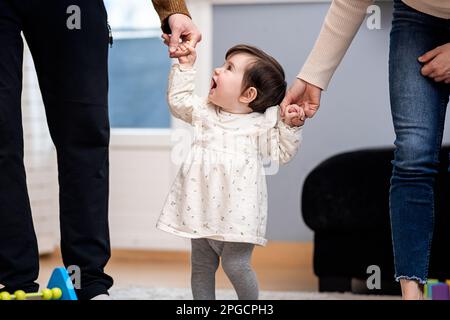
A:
(418, 106)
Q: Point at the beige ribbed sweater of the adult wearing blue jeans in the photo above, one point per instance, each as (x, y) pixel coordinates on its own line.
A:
(338, 30)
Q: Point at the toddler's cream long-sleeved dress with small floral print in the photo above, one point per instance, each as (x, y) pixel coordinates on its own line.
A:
(220, 191)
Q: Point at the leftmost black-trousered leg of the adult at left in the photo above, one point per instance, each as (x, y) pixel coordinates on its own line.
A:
(19, 261)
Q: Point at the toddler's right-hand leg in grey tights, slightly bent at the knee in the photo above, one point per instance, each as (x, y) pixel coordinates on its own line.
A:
(236, 262)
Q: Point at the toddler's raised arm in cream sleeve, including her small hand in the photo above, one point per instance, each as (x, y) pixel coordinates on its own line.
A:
(180, 93)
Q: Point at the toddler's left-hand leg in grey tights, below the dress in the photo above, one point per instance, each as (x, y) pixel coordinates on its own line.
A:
(204, 262)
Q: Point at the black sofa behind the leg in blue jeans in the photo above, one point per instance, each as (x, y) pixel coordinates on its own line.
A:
(345, 201)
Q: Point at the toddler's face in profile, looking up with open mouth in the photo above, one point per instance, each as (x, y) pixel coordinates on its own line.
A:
(226, 84)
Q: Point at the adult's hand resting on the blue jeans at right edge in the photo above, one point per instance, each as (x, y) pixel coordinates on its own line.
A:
(437, 63)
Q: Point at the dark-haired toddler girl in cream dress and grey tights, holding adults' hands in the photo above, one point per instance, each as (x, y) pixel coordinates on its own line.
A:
(219, 197)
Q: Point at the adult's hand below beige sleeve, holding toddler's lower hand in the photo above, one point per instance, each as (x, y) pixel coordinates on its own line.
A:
(303, 94)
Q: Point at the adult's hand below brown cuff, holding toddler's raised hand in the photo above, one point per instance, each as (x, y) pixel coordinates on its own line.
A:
(182, 28)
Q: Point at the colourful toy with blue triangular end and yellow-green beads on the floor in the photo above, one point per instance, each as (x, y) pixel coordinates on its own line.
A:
(60, 284)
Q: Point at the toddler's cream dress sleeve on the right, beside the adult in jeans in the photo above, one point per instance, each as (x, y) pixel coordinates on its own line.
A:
(278, 141)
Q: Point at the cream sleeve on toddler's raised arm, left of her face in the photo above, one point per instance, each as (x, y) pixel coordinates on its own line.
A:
(183, 103)
